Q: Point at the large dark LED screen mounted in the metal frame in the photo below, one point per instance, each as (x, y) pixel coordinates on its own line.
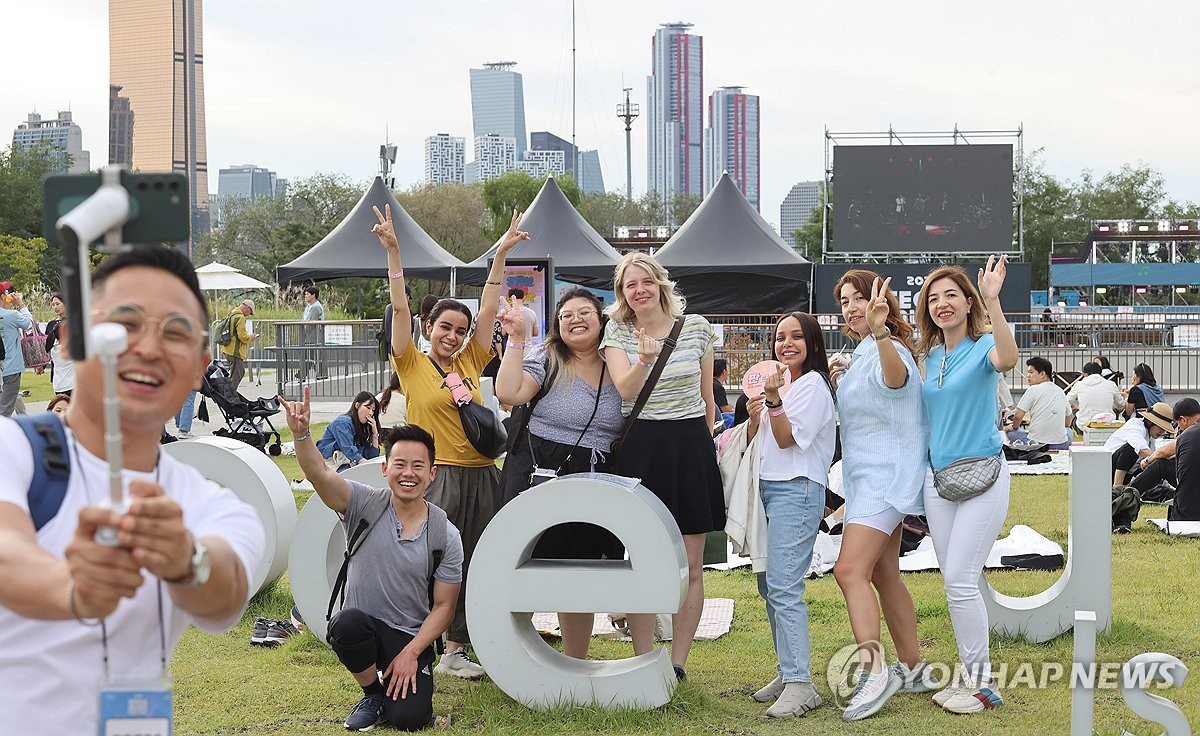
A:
(922, 199)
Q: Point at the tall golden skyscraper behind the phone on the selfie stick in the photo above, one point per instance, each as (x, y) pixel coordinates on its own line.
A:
(157, 63)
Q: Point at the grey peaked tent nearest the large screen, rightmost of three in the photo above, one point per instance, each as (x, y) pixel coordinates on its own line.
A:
(729, 261)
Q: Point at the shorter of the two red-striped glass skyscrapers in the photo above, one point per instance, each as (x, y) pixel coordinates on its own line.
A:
(731, 141)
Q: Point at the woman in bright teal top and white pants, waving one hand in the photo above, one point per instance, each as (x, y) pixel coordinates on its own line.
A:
(963, 369)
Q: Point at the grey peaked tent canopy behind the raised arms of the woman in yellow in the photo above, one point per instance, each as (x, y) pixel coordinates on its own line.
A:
(352, 250)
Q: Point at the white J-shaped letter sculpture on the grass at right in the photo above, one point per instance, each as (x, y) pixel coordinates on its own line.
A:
(1087, 582)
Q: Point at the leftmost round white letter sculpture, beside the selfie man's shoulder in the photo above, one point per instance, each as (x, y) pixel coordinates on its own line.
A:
(257, 481)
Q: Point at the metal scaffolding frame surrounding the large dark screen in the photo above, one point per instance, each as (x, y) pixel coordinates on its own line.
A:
(895, 137)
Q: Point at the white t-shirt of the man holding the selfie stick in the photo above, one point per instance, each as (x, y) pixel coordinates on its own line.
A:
(53, 669)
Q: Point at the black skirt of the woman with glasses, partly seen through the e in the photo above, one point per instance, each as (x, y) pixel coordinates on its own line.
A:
(575, 541)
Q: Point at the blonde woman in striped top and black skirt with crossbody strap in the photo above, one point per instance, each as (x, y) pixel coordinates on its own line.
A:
(670, 445)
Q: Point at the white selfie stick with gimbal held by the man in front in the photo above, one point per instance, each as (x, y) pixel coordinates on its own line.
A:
(103, 214)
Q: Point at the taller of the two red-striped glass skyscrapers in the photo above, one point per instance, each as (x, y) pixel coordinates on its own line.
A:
(675, 112)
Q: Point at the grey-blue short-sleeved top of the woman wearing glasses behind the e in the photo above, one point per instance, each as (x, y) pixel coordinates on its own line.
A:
(565, 411)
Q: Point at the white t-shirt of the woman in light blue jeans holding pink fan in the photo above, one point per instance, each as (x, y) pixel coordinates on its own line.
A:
(811, 411)
